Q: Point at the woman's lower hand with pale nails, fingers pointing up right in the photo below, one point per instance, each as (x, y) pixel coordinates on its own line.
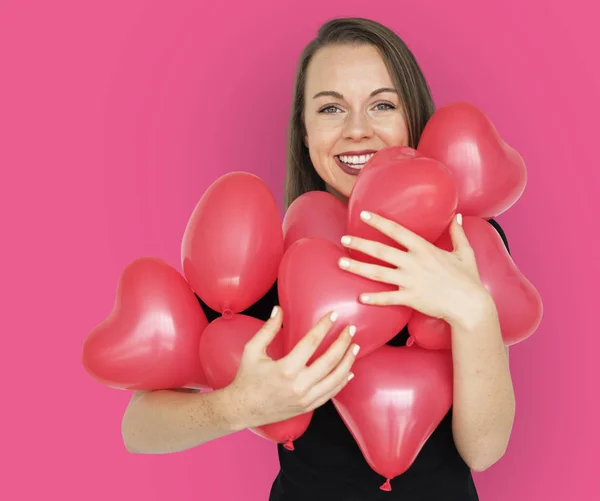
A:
(267, 391)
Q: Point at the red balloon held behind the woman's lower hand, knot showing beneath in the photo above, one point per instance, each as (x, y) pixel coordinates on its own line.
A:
(221, 351)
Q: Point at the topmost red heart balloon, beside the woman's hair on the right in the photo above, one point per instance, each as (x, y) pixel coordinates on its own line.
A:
(491, 175)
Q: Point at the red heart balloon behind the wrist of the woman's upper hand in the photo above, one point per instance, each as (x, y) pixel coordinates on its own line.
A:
(518, 302)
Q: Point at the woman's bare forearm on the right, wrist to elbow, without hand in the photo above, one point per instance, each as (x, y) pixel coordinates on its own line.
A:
(484, 400)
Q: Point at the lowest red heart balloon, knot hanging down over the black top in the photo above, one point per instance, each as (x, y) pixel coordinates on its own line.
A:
(397, 399)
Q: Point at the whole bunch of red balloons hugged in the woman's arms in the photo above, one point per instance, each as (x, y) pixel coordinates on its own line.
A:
(235, 247)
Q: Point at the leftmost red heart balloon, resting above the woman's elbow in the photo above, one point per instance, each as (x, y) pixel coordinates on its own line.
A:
(150, 339)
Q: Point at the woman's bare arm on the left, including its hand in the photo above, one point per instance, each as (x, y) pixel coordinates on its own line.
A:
(264, 391)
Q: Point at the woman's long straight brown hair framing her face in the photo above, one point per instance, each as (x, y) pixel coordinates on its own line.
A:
(406, 75)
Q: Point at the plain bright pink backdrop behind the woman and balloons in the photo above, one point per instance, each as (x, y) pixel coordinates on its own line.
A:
(115, 116)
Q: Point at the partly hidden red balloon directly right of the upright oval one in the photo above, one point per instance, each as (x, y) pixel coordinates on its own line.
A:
(315, 214)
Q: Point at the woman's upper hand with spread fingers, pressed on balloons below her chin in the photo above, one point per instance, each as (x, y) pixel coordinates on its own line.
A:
(431, 280)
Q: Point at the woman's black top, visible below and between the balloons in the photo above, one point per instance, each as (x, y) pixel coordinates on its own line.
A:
(327, 464)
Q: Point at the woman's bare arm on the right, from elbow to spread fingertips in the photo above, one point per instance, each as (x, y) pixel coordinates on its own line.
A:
(447, 285)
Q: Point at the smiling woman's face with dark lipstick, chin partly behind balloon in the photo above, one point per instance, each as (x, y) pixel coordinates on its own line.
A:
(351, 111)
